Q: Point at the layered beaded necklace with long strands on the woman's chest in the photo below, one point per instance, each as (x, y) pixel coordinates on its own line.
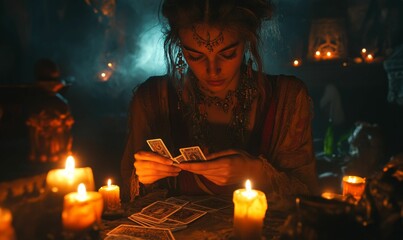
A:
(196, 114)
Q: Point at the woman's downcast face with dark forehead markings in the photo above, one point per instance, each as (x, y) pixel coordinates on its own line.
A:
(214, 56)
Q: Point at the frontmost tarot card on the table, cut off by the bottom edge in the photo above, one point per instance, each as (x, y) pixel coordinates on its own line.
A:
(139, 232)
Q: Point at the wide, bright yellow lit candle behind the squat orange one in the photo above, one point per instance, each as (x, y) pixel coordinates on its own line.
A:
(63, 181)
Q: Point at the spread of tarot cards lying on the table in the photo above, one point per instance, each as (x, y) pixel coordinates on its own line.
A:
(159, 219)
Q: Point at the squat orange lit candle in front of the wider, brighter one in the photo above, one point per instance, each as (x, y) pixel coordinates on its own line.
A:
(81, 209)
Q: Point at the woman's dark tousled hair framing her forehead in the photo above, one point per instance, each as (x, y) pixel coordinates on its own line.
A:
(242, 16)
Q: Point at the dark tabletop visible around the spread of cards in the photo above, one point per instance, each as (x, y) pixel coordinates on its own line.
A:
(216, 224)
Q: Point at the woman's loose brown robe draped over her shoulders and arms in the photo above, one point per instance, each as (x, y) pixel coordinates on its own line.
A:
(282, 138)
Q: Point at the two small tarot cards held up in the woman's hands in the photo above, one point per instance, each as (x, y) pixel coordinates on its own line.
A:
(187, 154)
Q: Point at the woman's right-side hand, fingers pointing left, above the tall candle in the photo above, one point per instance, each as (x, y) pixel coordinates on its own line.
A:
(226, 167)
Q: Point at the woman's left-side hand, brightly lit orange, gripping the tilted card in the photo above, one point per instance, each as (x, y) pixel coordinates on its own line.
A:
(151, 167)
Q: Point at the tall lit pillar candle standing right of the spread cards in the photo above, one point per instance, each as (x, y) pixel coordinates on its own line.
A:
(250, 209)
